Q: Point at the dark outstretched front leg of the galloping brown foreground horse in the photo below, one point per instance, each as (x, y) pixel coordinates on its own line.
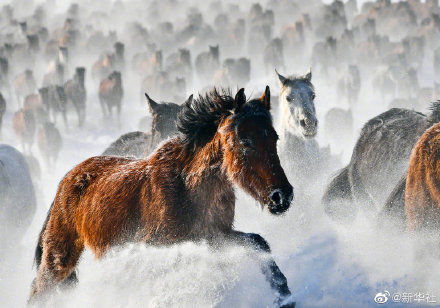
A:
(269, 268)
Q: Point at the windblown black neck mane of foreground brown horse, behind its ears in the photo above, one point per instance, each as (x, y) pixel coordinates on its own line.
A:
(198, 120)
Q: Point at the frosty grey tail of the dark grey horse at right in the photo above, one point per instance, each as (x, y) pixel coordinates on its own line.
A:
(338, 192)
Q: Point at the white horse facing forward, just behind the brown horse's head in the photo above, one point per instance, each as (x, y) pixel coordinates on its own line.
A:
(306, 164)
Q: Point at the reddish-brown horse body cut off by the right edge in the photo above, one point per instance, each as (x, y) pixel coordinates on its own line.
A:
(422, 191)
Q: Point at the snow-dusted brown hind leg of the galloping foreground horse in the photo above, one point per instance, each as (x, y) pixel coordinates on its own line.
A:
(61, 252)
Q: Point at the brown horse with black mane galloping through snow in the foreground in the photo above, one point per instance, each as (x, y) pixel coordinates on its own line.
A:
(183, 191)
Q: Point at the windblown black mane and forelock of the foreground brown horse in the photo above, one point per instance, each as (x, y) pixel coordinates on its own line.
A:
(198, 121)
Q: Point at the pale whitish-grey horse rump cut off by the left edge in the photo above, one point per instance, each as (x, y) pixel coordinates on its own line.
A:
(17, 196)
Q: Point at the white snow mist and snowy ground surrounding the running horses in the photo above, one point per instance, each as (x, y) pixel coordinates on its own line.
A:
(326, 263)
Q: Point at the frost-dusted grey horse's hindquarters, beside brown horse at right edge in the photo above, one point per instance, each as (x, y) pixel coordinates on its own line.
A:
(378, 163)
